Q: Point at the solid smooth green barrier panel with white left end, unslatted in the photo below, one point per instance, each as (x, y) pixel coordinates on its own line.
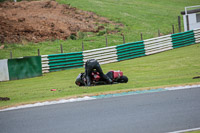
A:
(20, 68)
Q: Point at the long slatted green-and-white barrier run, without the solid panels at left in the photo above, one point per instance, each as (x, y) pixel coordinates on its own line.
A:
(121, 52)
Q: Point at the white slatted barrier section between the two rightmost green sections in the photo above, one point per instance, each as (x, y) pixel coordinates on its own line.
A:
(158, 44)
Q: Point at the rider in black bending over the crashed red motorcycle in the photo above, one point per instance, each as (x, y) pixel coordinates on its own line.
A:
(84, 79)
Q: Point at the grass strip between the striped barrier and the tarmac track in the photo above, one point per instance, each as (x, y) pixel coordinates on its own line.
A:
(170, 68)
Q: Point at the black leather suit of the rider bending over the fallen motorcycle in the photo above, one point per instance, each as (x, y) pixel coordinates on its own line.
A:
(90, 66)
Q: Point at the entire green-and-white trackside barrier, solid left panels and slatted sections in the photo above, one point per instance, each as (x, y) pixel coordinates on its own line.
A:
(23, 68)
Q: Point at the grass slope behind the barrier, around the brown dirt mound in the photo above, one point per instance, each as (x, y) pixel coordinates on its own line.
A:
(146, 16)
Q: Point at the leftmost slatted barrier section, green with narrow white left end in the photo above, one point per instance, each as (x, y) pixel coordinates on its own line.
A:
(57, 62)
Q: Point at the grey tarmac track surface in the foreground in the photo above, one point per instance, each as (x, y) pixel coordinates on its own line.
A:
(158, 112)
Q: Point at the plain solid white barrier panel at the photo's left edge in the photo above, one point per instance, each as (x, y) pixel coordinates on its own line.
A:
(4, 74)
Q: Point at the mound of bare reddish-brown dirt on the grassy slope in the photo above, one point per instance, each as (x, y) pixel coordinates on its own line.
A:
(38, 21)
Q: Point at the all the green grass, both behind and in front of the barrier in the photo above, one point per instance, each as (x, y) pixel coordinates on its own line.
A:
(169, 68)
